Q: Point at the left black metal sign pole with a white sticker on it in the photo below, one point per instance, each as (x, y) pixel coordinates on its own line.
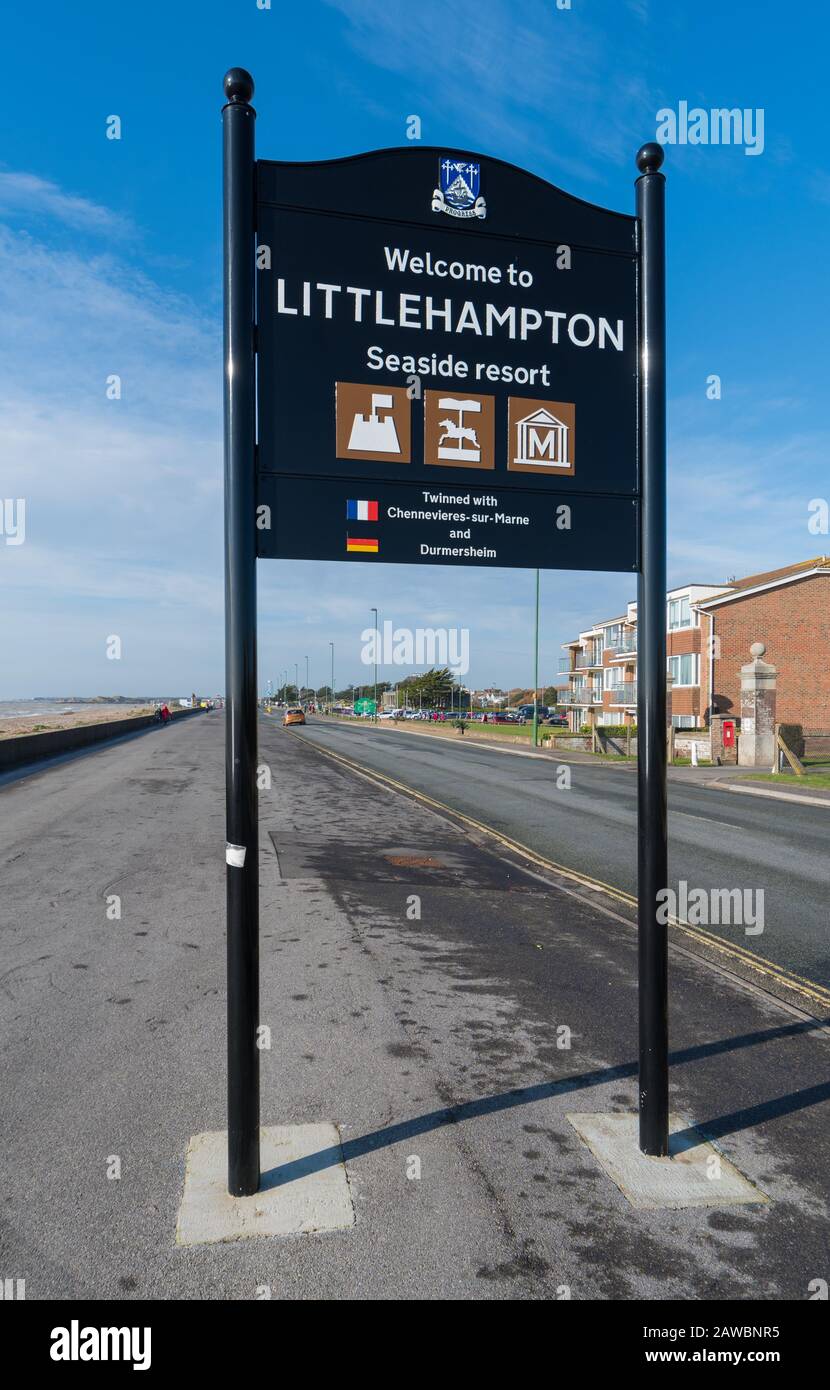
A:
(241, 714)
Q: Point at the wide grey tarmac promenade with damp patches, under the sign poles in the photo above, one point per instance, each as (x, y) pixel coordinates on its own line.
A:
(433, 1042)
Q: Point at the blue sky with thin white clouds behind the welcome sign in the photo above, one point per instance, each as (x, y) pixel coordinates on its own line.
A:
(111, 262)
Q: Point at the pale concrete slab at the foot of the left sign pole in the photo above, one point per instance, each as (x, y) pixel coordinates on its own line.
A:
(304, 1188)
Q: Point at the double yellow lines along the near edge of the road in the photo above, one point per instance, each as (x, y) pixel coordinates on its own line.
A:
(749, 958)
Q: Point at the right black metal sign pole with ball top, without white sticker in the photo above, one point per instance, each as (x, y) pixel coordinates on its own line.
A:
(653, 858)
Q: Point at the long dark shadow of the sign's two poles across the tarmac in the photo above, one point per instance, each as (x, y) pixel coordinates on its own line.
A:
(682, 1140)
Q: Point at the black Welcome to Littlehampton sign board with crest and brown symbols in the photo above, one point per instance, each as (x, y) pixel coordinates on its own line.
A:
(433, 327)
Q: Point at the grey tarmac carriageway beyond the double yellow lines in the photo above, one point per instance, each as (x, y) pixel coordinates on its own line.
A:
(717, 839)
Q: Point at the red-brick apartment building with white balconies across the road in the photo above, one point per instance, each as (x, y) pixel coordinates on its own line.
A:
(710, 629)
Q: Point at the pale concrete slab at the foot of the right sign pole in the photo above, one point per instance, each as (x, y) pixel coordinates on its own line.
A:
(696, 1174)
